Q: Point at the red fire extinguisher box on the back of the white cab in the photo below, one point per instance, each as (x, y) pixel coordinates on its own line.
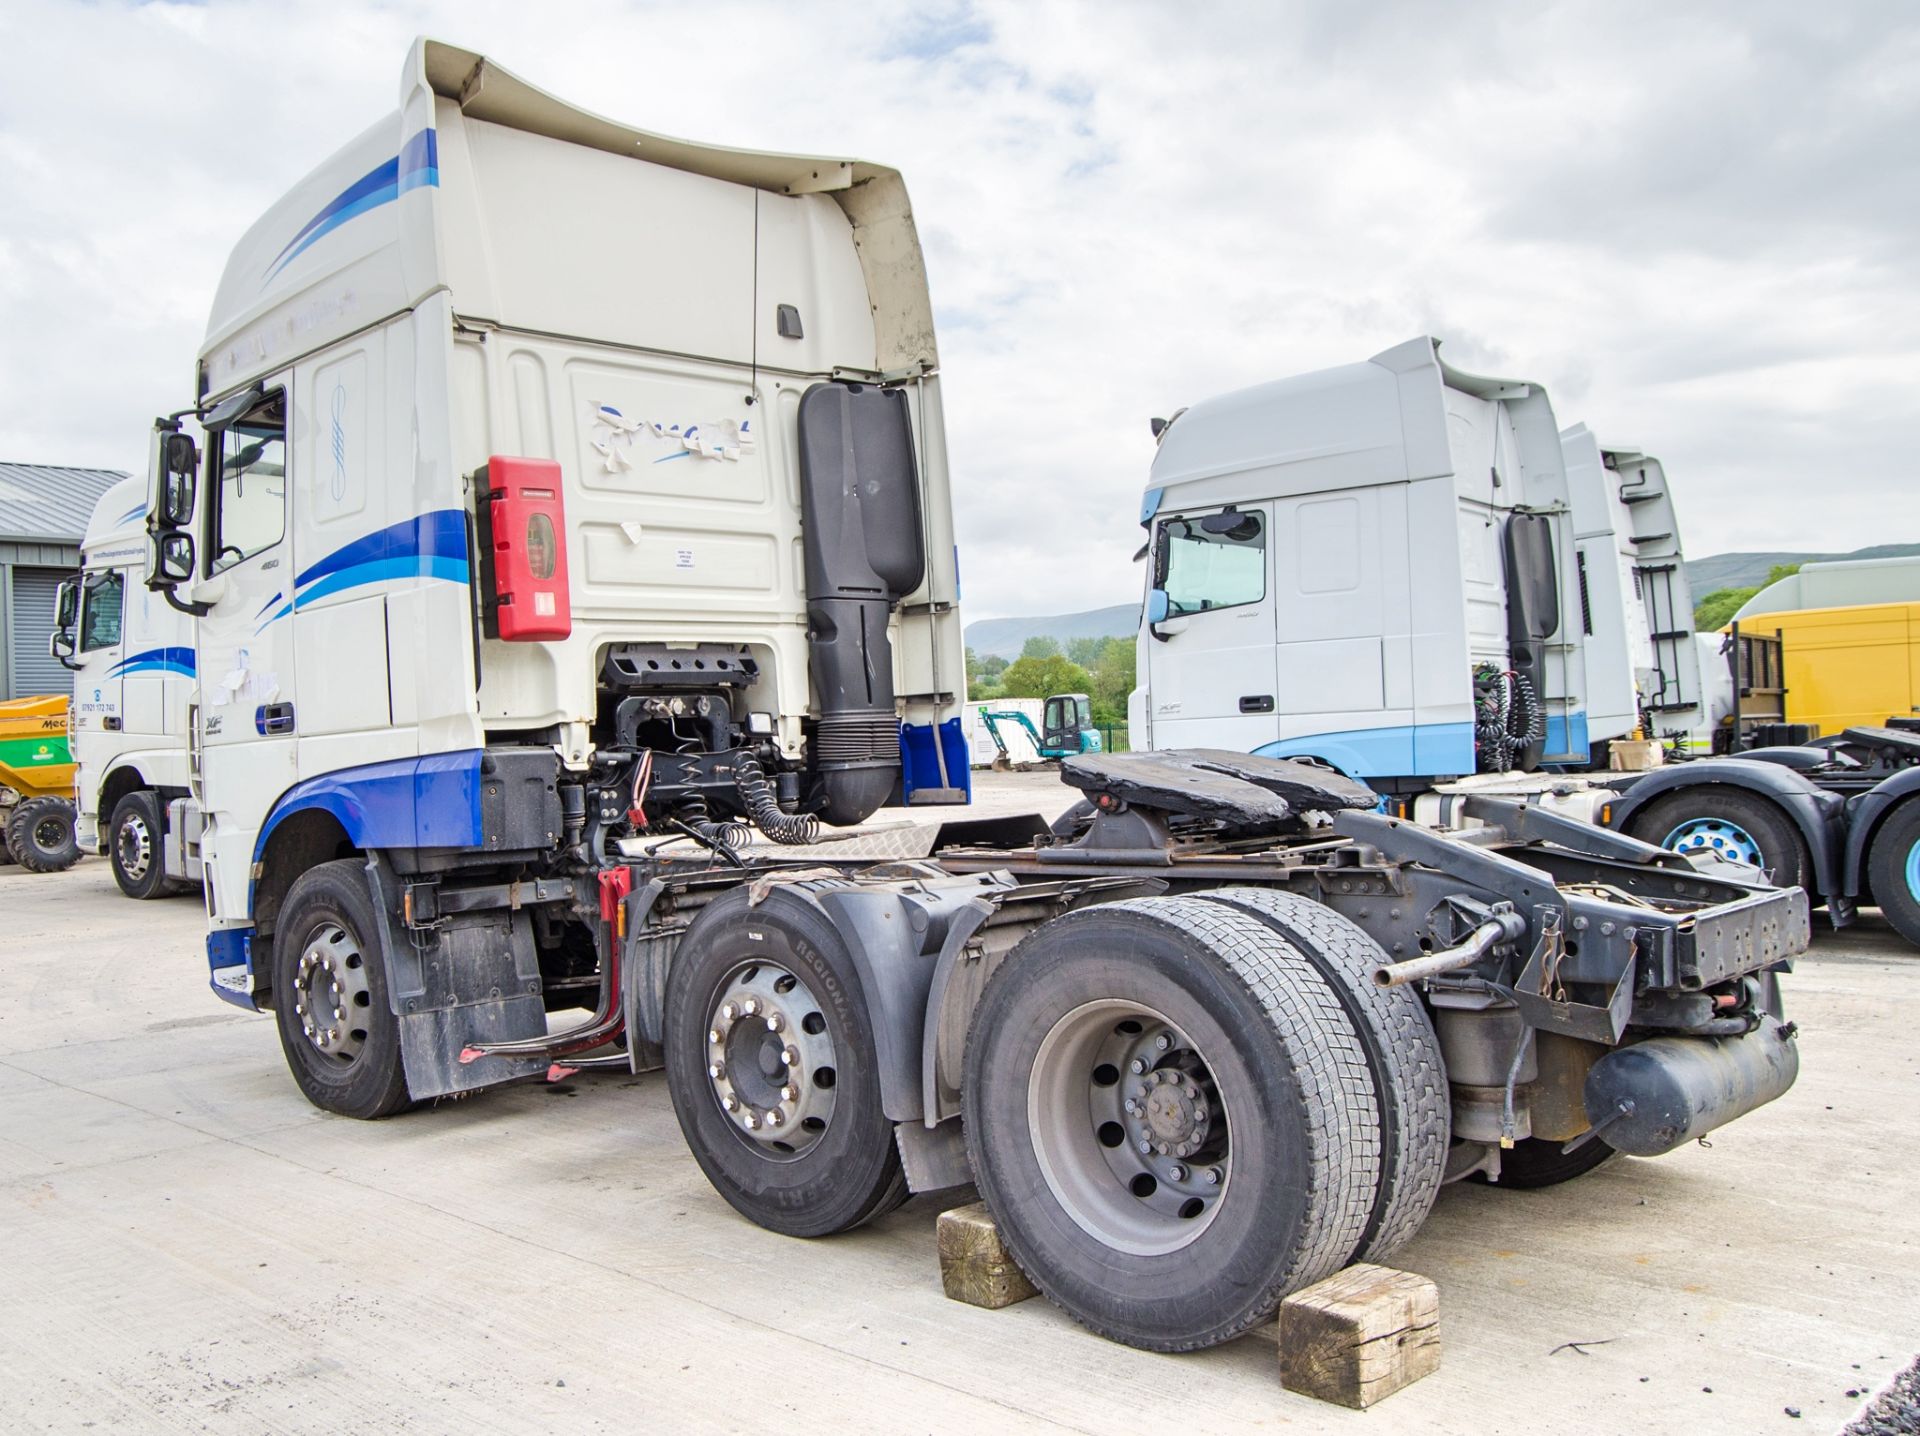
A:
(523, 546)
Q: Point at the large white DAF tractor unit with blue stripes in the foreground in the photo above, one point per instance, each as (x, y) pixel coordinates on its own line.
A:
(569, 535)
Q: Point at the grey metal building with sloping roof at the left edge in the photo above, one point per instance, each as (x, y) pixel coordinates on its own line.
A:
(43, 519)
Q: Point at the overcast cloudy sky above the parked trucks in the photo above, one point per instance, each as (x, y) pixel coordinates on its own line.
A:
(1696, 226)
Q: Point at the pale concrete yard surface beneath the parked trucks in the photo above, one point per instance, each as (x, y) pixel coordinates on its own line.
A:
(185, 1245)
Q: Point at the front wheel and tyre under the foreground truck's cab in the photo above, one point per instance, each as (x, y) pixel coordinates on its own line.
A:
(329, 995)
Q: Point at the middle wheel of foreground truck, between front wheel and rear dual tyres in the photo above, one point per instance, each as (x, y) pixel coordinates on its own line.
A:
(771, 1068)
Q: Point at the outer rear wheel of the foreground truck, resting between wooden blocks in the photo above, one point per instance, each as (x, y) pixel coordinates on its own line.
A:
(1170, 1118)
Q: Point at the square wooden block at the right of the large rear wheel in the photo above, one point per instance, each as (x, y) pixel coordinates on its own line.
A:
(1360, 1335)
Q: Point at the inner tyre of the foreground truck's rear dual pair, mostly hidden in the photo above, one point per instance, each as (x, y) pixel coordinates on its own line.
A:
(1416, 1111)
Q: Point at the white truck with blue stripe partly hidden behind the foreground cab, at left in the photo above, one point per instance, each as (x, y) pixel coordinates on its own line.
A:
(133, 684)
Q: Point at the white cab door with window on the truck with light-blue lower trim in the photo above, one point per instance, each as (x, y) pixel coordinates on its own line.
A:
(1212, 669)
